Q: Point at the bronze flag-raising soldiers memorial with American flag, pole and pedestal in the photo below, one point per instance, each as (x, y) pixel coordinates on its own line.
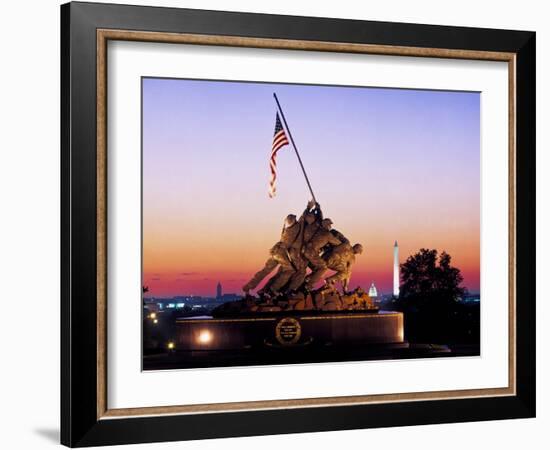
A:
(305, 305)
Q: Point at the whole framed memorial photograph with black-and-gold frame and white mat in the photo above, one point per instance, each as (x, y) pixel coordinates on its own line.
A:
(277, 224)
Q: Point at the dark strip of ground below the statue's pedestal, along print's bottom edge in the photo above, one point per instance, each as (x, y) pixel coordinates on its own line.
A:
(301, 355)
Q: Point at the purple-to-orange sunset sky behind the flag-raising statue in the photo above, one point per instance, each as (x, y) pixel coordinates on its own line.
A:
(385, 165)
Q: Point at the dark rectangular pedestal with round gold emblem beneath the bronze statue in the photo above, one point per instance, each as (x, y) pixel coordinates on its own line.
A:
(288, 330)
